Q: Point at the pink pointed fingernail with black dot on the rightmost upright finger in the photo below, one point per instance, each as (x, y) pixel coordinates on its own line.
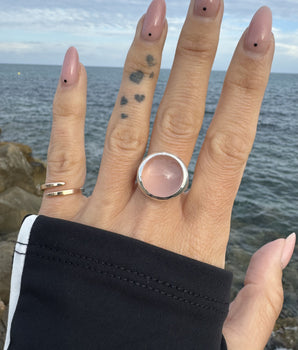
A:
(258, 36)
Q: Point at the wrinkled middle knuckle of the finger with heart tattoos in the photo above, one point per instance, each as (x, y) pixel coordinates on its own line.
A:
(125, 138)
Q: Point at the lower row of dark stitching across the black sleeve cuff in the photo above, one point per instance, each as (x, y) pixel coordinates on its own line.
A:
(130, 281)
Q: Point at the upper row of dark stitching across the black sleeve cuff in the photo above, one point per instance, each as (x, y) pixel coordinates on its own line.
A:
(135, 272)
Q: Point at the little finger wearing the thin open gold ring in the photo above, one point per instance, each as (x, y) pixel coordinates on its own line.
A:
(66, 153)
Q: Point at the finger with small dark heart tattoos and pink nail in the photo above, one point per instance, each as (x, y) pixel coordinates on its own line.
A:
(128, 128)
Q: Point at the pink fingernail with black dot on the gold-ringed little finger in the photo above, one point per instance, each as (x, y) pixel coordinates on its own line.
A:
(70, 68)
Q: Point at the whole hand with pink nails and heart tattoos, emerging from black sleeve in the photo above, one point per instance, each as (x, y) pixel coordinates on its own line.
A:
(197, 223)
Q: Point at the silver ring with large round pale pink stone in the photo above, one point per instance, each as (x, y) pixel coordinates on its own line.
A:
(162, 176)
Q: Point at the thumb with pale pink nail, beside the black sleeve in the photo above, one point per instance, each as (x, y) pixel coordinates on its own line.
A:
(253, 313)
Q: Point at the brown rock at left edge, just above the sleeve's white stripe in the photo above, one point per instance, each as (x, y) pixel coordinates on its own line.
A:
(15, 203)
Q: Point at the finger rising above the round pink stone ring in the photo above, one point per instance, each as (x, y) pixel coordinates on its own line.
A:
(181, 111)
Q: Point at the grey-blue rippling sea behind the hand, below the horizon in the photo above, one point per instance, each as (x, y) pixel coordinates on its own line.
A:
(266, 207)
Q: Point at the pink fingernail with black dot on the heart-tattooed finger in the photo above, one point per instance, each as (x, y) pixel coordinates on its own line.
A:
(154, 20)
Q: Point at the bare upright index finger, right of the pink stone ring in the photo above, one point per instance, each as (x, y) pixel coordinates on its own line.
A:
(232, 131)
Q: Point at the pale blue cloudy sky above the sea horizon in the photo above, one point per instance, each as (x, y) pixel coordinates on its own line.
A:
(39, 31)
